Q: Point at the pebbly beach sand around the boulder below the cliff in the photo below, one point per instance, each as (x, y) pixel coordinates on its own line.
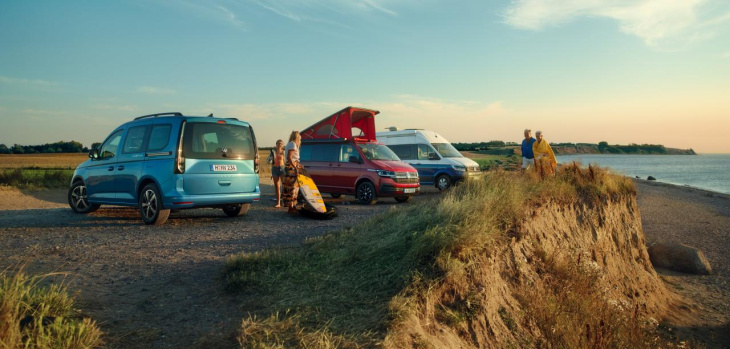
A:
(698, 218)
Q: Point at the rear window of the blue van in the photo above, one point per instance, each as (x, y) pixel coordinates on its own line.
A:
(203, 140)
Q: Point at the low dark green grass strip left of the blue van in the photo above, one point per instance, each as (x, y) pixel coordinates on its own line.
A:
(36, 178)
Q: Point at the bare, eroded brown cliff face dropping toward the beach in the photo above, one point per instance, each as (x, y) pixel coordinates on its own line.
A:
(563, 261)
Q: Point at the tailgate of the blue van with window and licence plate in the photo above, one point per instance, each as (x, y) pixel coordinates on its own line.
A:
(219, 157)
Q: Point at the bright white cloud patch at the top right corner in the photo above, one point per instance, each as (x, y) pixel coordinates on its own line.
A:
(663, 24)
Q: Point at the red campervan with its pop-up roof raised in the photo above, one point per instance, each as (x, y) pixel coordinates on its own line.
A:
(342, 156)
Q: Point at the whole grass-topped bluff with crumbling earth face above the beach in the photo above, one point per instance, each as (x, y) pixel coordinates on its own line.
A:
(506, 262)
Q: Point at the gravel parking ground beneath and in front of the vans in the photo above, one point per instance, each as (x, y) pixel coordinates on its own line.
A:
(155, 287)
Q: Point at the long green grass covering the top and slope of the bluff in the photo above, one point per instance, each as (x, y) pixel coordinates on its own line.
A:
(348, 287)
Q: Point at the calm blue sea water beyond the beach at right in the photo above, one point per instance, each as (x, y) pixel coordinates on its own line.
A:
(704, 171)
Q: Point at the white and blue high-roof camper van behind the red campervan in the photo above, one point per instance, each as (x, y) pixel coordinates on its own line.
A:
(436, 160)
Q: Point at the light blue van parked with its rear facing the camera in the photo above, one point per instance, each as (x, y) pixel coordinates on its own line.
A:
(169, 161)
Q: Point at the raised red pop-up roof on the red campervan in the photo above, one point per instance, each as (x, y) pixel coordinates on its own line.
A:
(348, 123)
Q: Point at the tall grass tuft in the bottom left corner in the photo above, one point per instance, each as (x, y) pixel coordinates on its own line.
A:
(36, 316)
